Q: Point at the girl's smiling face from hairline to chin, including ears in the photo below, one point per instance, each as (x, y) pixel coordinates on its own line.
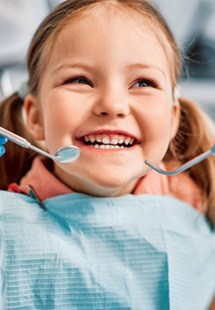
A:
(106, 88)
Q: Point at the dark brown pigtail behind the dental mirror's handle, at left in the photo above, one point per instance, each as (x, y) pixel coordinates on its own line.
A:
(17, 161)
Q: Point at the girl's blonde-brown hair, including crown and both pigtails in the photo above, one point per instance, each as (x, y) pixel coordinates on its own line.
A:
(194, 135)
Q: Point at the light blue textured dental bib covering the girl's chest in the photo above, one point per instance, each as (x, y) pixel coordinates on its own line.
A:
(132, 252)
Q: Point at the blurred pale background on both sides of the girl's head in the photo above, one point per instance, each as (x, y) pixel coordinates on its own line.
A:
(192, 23)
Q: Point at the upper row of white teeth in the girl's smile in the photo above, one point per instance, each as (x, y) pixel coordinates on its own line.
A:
(104, 139)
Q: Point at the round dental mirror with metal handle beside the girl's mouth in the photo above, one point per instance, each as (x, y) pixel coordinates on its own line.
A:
(63, 155)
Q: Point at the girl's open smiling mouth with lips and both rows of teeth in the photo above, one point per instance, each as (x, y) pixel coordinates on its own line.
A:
(104, 141)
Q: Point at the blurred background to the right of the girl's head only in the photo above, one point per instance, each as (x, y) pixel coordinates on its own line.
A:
(193, 23)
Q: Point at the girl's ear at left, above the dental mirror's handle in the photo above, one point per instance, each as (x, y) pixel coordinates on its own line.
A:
(34, 121)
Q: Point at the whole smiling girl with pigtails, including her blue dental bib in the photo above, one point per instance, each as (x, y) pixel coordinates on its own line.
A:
(102, 76)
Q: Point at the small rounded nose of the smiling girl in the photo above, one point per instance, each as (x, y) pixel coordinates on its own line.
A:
(113, 104)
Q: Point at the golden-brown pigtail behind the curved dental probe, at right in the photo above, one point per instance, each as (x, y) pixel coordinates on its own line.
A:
(196, 134)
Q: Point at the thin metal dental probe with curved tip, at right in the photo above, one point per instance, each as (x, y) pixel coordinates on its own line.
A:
(184, 167)
